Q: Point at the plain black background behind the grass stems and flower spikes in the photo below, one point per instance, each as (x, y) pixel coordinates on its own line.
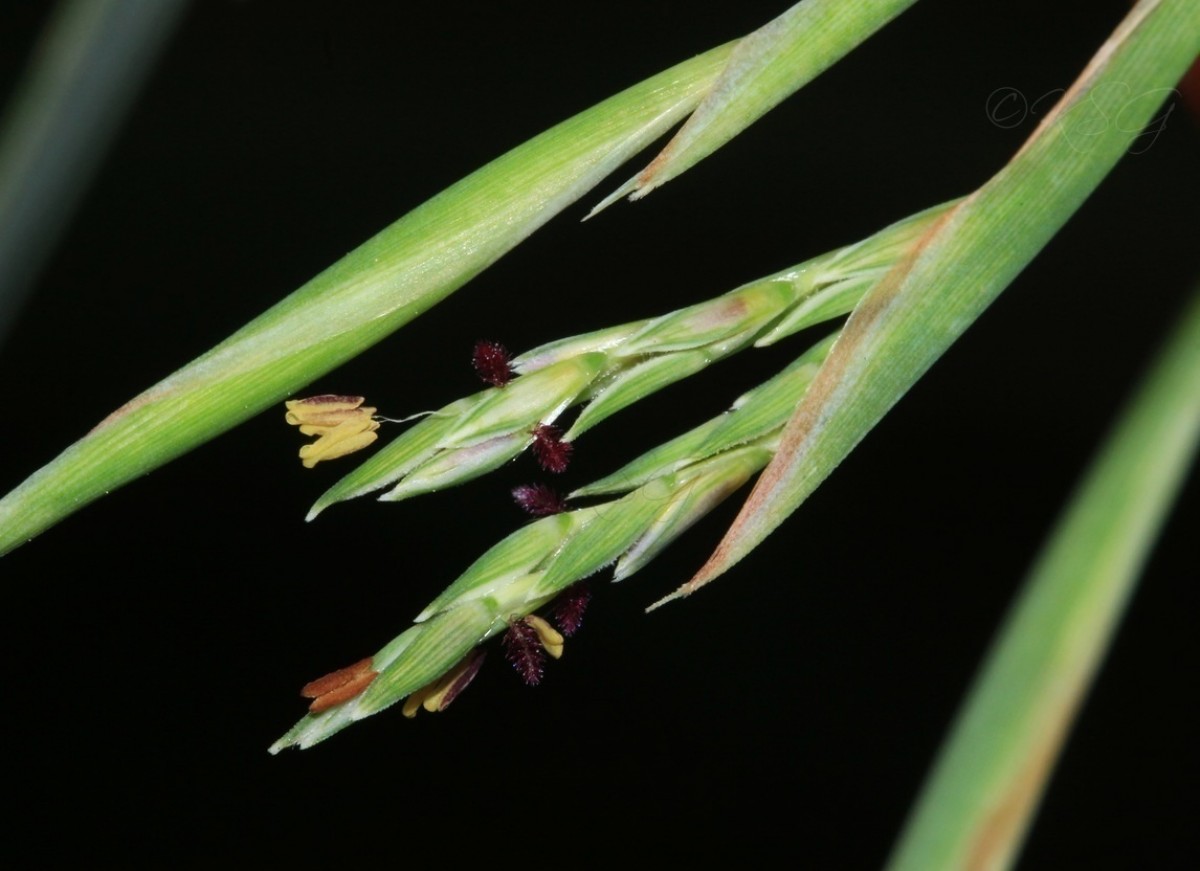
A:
(155, 642)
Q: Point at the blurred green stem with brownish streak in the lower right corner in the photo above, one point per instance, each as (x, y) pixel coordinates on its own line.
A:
(993, 771)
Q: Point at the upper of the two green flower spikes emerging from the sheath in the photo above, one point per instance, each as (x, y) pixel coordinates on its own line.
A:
(615, 368)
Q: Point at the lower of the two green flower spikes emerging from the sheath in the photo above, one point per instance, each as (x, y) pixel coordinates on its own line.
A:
(664, 492)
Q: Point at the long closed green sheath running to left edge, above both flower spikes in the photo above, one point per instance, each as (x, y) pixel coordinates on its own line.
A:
(367, 296)
